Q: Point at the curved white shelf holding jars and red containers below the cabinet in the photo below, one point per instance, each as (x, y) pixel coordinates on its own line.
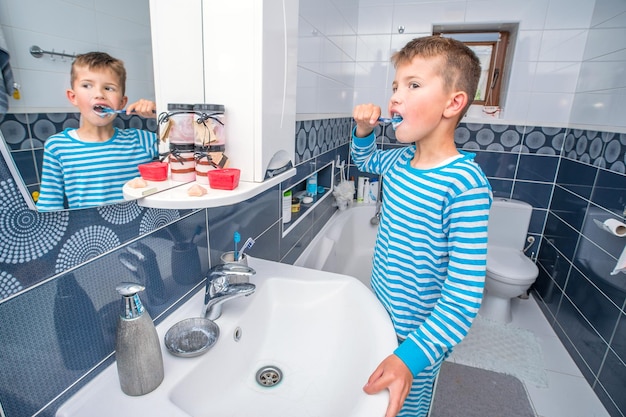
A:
(177, 197)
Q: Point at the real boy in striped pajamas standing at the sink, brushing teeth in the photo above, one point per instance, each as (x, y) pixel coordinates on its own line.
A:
(431, 249)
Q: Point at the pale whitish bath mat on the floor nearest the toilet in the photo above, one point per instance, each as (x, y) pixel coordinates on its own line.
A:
(503, 348)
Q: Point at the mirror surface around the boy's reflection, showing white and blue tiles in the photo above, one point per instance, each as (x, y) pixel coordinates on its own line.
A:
(62, 29)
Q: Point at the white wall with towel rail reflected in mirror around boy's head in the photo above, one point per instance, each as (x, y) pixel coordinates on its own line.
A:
(74, 27)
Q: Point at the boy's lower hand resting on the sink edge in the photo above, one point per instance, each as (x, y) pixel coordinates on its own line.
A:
(394, 375)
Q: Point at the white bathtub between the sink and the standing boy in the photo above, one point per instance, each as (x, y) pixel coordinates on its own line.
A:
(345, 245)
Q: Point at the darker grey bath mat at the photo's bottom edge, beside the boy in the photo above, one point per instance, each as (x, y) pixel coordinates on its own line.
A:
(464, 391)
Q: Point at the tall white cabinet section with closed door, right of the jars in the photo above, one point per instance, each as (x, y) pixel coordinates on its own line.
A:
(250, 61)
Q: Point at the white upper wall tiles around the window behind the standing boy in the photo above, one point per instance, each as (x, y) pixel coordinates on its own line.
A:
(565, 50)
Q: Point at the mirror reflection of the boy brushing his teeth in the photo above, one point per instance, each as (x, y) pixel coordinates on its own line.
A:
(88, 166)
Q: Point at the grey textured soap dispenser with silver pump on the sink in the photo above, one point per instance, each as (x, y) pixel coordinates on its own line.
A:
(137, 346)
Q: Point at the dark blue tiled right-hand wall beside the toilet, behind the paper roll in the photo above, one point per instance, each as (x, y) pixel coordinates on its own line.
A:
(584, 302)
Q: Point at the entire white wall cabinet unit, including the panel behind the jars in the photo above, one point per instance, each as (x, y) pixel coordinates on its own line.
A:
(242, 54)
